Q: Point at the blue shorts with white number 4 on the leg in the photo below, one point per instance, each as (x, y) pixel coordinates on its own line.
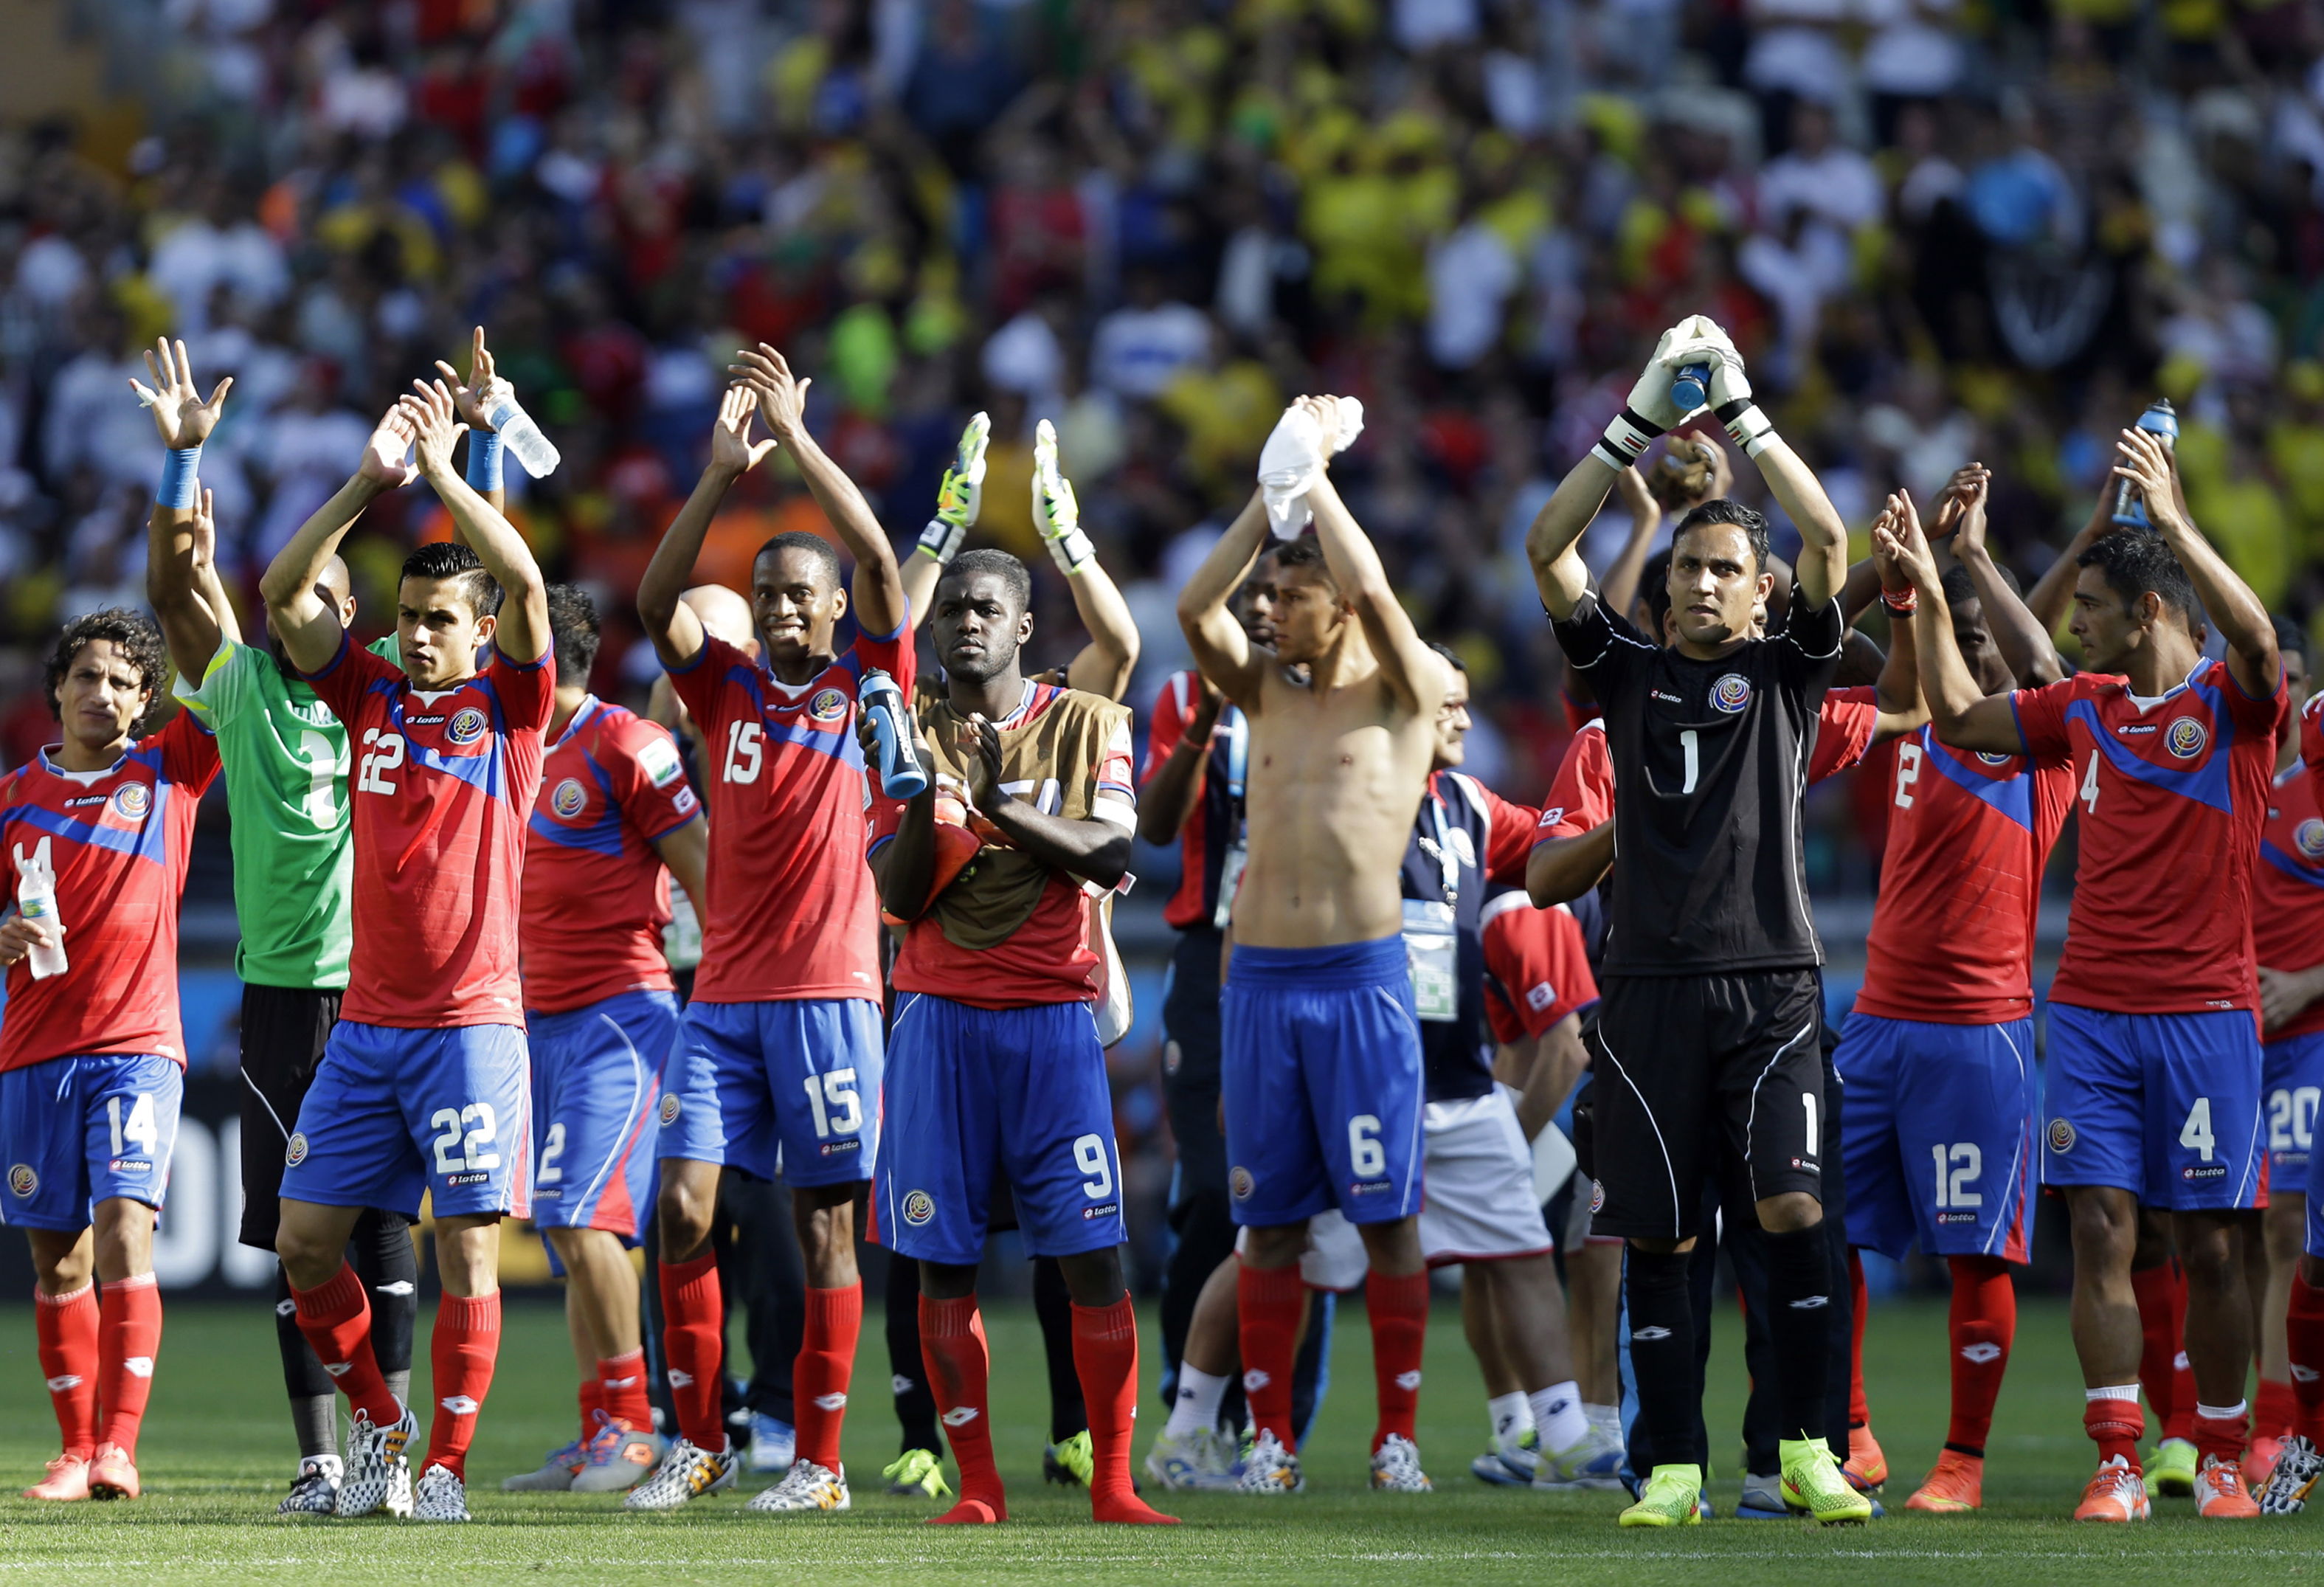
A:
(2160, 1105)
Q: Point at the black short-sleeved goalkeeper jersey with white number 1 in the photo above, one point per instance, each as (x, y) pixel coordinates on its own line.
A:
(1709, 763)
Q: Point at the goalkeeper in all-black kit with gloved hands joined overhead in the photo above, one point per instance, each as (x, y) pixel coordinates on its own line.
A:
(1707, 1040)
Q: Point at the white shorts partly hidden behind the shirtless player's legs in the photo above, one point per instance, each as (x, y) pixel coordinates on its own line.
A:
(1477, 1191)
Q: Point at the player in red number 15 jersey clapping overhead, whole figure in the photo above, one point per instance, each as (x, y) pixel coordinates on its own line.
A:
(782, 1044)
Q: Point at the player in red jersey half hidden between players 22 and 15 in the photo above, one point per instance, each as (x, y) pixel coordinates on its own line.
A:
(615, 821)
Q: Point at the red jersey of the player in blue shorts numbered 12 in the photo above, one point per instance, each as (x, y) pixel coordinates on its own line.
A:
(1960, 884)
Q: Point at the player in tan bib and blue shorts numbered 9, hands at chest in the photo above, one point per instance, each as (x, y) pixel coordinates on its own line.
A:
(998, 1061)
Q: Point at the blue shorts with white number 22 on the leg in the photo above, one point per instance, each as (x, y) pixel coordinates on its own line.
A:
(403, 1112)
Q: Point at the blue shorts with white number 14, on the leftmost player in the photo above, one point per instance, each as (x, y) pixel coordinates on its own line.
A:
(85, 1130)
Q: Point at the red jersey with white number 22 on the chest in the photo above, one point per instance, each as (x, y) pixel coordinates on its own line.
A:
(438, 810)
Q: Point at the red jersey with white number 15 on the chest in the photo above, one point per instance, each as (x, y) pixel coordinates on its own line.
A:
(794, 912)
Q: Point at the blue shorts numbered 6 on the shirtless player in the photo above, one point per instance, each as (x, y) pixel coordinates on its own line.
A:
(1324, 1089)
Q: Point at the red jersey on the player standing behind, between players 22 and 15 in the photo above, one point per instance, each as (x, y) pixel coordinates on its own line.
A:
(596, 891)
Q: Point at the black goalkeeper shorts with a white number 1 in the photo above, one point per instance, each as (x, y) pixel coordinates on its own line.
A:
(1698, 1077)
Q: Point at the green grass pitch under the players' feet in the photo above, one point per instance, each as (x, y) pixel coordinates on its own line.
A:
(217, 1456)
